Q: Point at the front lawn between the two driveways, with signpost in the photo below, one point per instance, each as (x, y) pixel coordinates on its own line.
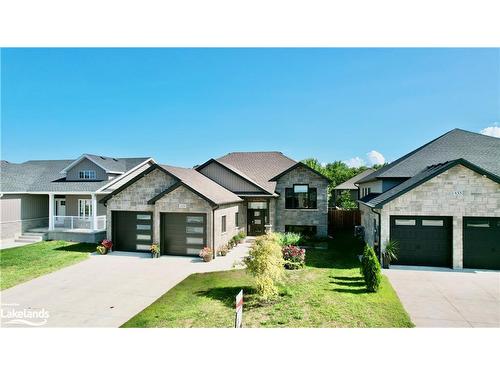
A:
(329, 292)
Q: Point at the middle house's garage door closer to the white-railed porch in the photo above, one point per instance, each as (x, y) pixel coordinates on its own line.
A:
(132, 230)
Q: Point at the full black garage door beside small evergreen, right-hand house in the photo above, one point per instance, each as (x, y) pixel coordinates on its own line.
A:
(423, 241)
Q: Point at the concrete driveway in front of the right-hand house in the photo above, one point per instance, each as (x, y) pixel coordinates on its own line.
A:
(447, 298)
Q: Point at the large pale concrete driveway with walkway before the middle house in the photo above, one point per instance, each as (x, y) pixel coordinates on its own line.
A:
(103, 291)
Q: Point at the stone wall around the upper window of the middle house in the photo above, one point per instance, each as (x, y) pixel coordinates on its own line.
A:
(317, 217)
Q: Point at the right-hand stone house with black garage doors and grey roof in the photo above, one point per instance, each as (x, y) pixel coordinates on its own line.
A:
(441, 202)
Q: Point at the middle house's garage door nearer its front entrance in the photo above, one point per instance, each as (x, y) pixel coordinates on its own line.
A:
(183, 234)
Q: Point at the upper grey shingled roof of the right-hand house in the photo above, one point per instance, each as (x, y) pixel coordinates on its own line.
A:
(479, 149)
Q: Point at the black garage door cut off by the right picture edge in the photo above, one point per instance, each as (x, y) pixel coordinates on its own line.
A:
(481, 242)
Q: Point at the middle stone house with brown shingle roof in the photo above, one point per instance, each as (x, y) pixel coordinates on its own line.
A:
(186, 209)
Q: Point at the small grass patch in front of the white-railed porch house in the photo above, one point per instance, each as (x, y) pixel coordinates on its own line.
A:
(23, 263)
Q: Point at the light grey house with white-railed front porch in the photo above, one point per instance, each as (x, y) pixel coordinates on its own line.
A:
(59, 198)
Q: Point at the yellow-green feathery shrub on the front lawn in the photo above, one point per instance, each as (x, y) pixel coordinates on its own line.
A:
(265, 264)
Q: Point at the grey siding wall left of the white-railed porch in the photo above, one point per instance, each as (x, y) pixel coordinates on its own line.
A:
(20, 212)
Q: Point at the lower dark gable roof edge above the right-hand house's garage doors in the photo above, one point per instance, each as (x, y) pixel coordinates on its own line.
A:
(379, 200)
